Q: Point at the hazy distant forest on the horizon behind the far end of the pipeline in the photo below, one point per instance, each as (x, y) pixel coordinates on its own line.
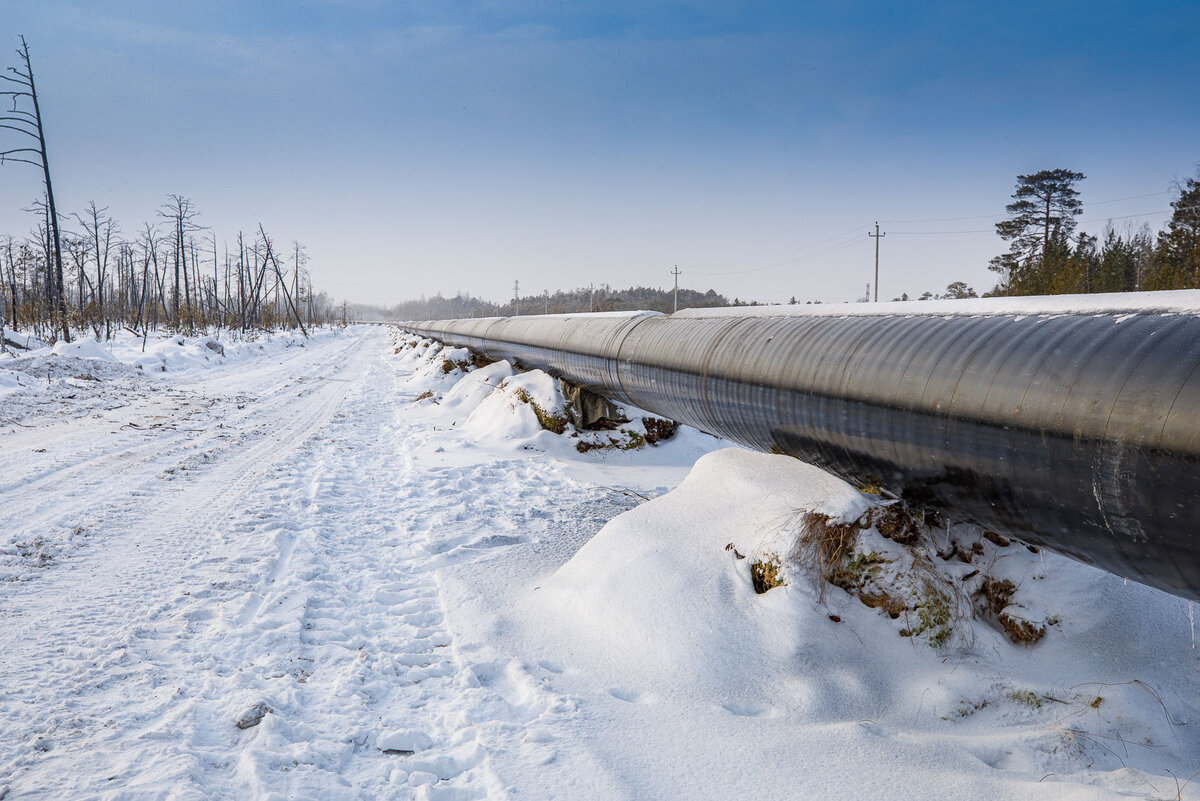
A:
(585, 299)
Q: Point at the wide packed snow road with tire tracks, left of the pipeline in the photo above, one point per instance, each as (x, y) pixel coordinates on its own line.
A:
(266, 564)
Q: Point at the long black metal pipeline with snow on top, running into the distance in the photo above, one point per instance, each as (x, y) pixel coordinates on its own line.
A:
(1069, 424)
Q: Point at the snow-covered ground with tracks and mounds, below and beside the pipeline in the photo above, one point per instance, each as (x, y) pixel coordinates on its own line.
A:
(273, 569)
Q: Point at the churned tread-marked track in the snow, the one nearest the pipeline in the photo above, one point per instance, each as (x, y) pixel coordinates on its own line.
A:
(341, 637)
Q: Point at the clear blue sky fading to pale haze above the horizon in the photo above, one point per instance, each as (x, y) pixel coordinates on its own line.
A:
(430, 147)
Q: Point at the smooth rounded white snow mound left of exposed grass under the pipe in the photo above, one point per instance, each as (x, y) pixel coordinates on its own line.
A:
(658, 579)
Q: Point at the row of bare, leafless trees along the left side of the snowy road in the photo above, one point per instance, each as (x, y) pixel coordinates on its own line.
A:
(172, 274)
